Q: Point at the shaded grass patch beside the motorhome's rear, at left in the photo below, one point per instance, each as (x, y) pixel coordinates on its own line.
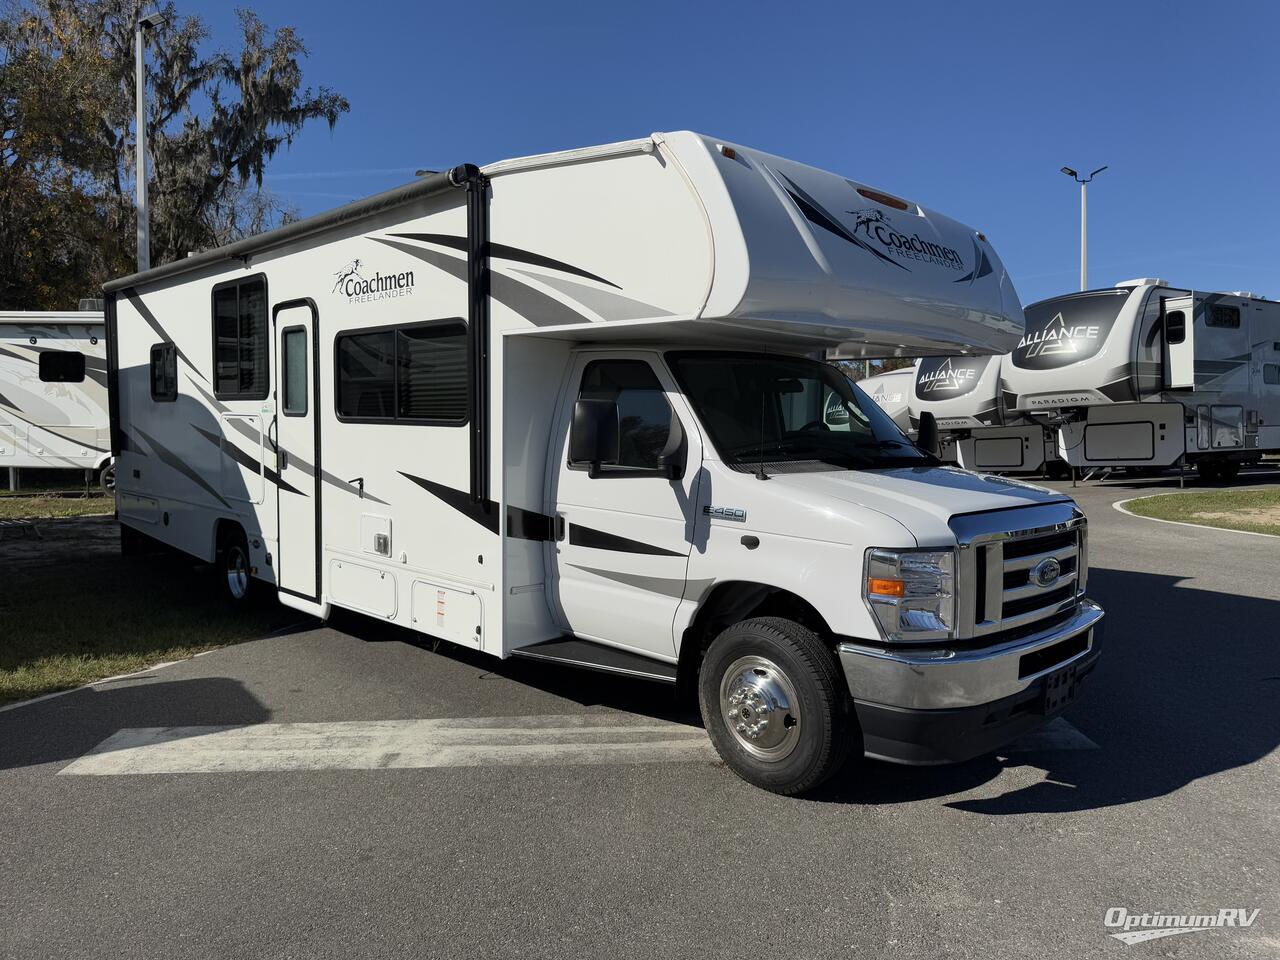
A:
(74, 611)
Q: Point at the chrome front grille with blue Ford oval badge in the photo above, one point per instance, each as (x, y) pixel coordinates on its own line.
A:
(996, 584)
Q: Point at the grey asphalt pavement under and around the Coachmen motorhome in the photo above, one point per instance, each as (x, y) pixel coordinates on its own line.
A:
(356, 794)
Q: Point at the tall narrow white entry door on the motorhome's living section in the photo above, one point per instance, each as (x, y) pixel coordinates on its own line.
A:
(298, 382)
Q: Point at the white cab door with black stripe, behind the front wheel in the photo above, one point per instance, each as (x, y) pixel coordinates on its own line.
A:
(625, 531)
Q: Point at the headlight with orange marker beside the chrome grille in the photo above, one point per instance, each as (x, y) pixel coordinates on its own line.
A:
(912, 593)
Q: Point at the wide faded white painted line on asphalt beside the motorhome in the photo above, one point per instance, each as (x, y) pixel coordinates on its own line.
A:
(396, 746)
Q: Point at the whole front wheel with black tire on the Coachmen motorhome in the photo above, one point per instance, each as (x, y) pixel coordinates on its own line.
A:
(775, 705)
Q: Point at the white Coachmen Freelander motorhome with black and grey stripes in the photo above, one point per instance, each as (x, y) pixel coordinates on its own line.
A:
(569, 408)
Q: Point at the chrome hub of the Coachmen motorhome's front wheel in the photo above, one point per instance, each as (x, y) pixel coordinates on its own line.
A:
(761, 708)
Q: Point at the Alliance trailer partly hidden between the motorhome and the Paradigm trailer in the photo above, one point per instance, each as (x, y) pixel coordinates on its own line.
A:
(976, 427)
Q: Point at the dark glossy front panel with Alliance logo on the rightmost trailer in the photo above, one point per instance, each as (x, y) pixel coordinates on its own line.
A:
(1067, 330)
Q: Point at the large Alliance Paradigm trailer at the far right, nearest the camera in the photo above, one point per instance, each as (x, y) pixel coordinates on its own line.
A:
(1146, 376)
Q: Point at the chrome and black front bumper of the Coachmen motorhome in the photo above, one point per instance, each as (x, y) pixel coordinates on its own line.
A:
(945, 706)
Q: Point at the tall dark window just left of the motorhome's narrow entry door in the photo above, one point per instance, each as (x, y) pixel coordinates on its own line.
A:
(241, 335)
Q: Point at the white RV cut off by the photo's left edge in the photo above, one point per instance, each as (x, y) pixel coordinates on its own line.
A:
(53, 391)
